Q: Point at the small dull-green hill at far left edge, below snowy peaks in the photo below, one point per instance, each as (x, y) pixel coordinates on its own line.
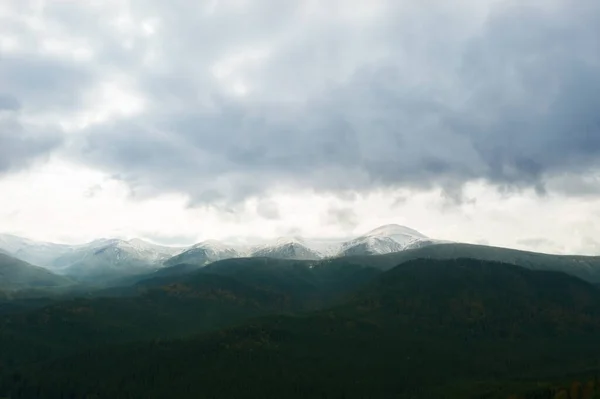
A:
(17, 274)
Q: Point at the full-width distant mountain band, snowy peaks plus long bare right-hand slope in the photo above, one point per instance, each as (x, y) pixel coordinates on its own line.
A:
(28, 264)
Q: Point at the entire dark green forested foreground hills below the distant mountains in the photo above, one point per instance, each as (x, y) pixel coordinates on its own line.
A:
(258, 328)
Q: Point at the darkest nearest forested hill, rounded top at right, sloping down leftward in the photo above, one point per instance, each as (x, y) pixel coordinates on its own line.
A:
(426, 329)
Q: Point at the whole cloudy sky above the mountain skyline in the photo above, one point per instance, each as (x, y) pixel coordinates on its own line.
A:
(467, 120)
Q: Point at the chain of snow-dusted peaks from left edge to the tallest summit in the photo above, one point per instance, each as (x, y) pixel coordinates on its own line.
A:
(109, 259)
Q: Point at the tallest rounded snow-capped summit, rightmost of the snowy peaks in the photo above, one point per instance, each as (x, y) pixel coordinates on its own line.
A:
(385, 239)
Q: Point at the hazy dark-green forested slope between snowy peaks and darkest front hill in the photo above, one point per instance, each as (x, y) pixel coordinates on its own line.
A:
(170, 306)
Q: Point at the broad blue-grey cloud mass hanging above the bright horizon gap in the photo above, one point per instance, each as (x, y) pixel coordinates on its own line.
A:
(422, 96)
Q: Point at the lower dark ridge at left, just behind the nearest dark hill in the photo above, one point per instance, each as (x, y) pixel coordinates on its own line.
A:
(170, 310)
